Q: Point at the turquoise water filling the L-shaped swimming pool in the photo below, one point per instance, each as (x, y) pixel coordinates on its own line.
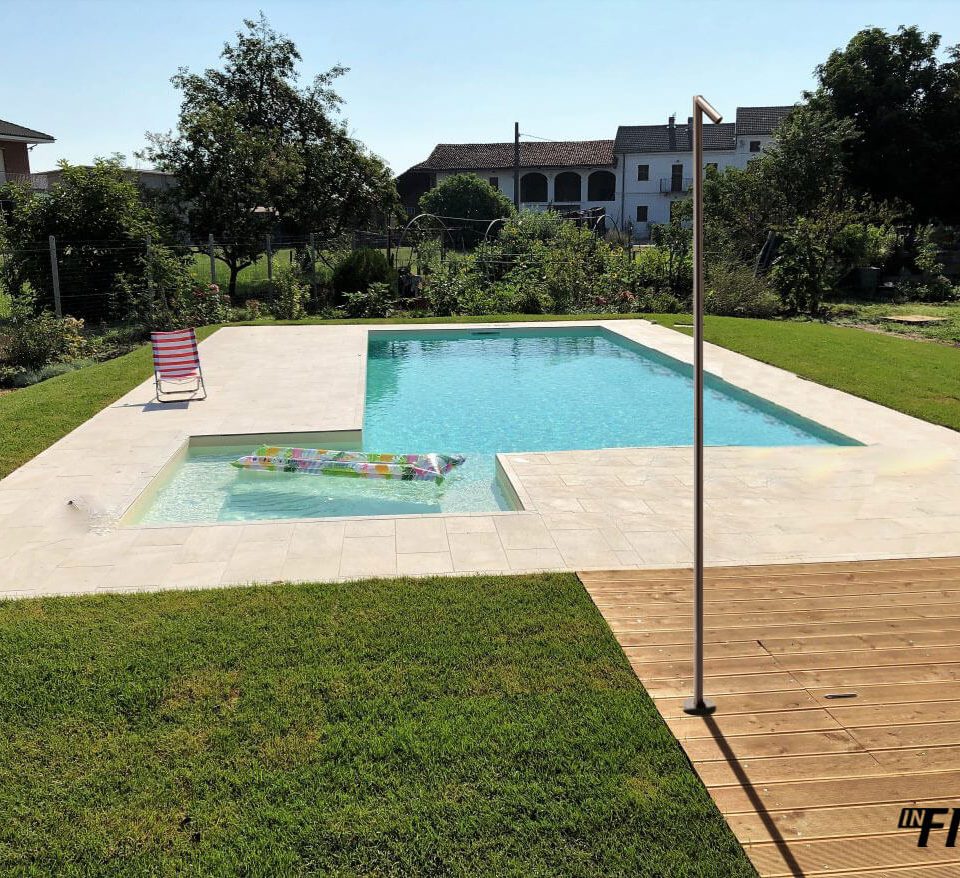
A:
(478, 393)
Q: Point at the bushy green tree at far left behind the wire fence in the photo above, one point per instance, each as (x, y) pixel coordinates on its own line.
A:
(101, 225)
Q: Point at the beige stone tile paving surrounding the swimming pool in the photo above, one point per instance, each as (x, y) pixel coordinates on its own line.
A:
(897, 496)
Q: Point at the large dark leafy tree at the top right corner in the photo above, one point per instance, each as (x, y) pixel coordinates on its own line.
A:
(904, 100)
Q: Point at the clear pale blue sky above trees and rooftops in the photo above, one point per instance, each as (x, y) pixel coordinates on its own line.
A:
(96, 73)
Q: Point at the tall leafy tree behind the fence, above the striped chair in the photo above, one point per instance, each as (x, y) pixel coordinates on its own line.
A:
(255, 149)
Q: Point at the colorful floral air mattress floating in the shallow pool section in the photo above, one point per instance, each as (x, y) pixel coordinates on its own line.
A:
(356, 464)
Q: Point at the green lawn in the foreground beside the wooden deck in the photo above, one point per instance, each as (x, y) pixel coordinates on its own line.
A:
(448, 726)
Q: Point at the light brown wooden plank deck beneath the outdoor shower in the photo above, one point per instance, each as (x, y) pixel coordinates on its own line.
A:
(838, 703)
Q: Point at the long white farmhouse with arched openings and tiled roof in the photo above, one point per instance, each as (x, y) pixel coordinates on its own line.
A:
(633, 179)
